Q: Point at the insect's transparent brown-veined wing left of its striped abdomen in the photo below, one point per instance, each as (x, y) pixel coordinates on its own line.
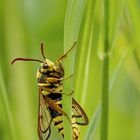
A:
(44, 119)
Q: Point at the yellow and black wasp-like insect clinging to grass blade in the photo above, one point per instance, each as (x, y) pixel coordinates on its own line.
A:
(50, 78)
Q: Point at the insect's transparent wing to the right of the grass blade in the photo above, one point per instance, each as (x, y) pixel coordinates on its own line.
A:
(79, 113)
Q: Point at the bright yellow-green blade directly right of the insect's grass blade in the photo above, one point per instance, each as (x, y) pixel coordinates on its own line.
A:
(85, 52)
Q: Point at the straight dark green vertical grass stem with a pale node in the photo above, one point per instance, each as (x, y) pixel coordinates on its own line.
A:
(105, 76)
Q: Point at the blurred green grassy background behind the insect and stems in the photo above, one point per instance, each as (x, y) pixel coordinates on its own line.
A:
(24, 24)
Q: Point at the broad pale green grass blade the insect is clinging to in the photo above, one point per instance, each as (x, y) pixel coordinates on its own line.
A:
(71, 30)
